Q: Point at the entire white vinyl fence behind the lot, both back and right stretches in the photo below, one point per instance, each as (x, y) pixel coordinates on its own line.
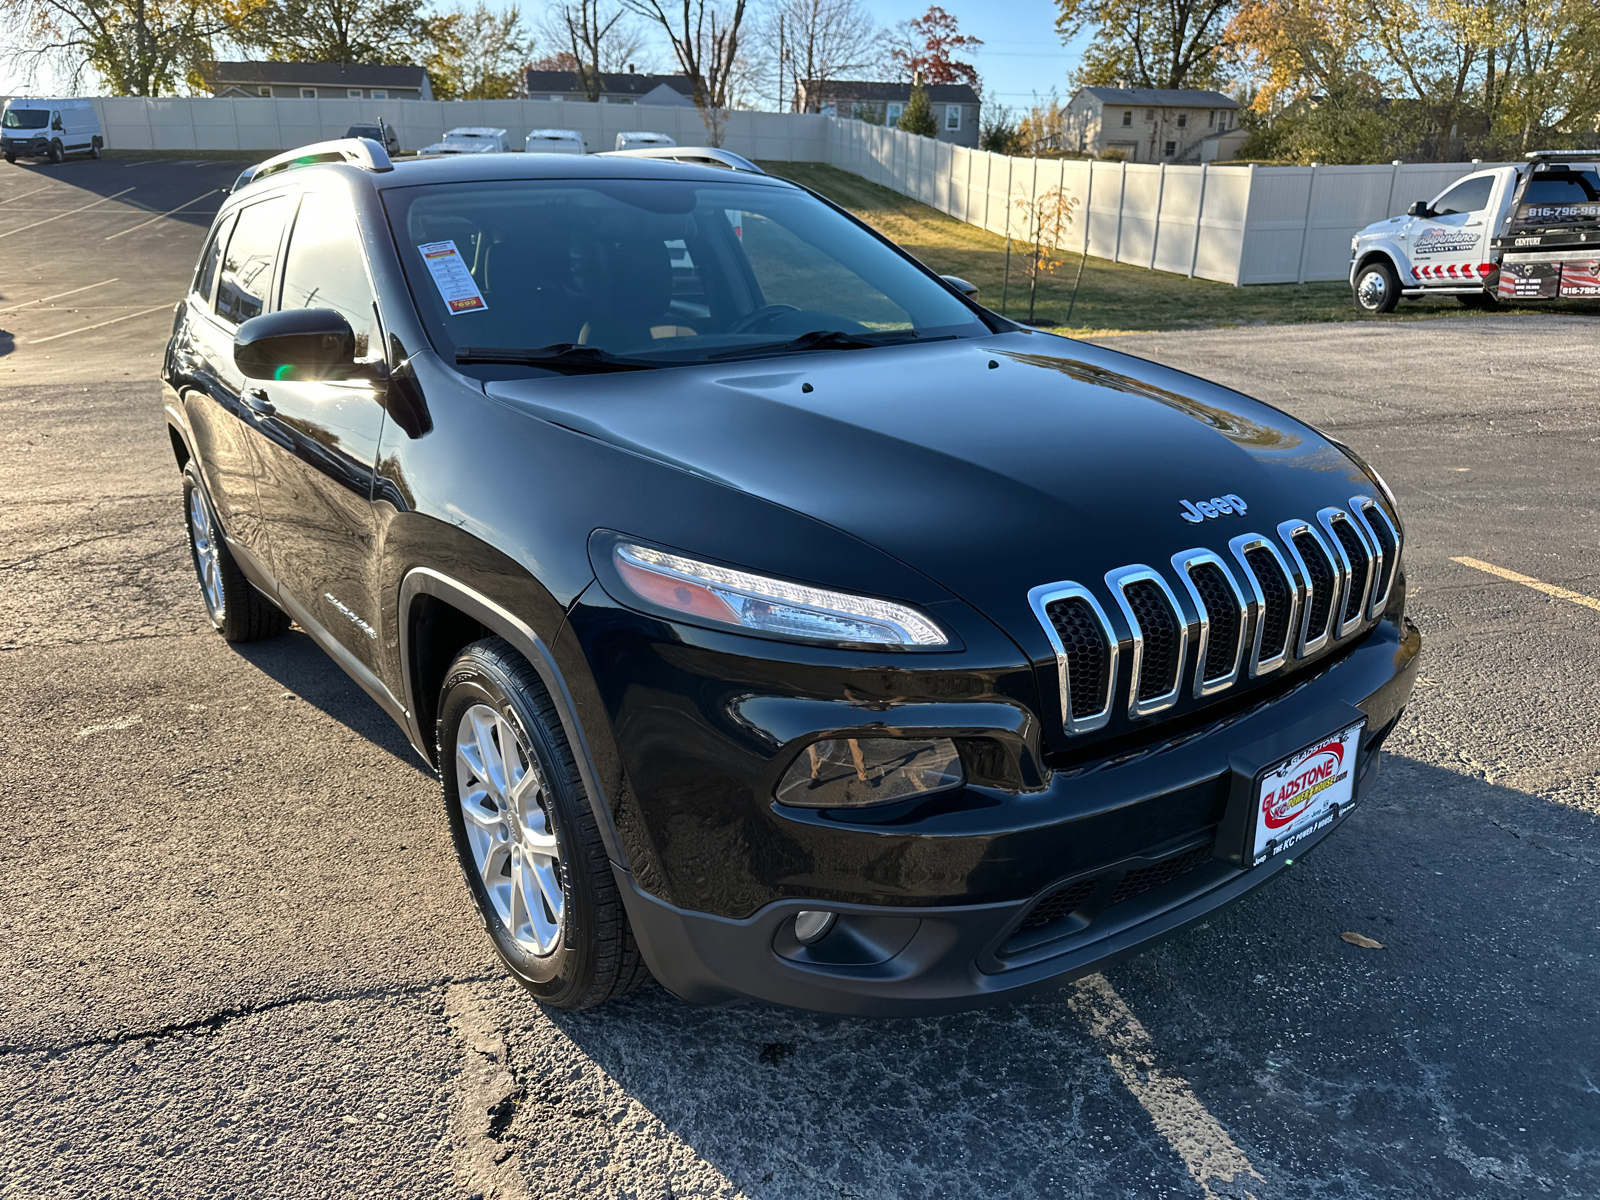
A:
(1238, 225)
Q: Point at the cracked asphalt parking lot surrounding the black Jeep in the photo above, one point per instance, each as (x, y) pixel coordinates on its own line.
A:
(239, 959)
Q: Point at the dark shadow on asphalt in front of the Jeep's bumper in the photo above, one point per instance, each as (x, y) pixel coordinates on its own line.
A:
(1460, 1060)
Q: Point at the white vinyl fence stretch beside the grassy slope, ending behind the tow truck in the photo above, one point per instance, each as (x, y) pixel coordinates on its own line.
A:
(1238, 225)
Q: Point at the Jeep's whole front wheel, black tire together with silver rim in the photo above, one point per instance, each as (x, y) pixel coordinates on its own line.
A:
(530, 842)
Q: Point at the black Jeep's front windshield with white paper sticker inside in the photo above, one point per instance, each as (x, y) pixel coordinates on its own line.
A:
(607, 274)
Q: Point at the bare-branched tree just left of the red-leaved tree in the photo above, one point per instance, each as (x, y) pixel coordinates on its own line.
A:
(818, 41)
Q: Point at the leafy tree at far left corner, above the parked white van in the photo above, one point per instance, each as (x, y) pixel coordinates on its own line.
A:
(134, 47)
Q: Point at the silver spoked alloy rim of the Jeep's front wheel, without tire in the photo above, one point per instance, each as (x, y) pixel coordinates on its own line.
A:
(505, 804)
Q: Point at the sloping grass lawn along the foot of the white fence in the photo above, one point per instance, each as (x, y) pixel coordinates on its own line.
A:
(1114, 298)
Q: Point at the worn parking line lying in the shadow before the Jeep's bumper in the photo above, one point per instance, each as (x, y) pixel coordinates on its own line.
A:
(1182, 1119)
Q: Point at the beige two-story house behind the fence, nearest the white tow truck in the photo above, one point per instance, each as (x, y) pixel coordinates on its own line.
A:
(1148, 126)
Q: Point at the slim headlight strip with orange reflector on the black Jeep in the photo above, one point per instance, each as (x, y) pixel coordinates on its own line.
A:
(766, 606)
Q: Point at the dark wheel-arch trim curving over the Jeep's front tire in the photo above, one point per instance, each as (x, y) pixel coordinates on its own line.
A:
(503, 623)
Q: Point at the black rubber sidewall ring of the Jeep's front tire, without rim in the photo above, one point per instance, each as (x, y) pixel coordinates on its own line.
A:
(478, 679)
